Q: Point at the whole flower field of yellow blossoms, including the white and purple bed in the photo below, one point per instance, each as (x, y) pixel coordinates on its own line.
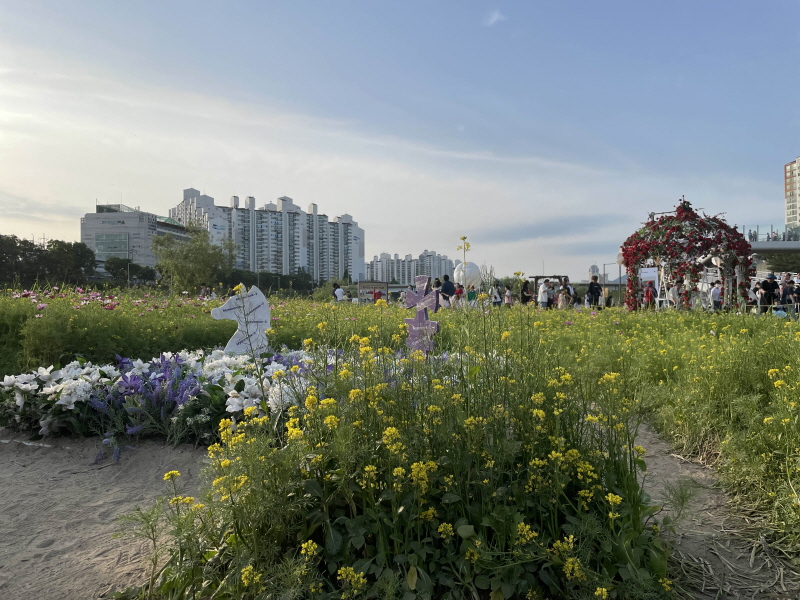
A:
(504, 465)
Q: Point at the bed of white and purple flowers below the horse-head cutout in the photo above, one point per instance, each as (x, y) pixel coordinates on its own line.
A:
(178, 396)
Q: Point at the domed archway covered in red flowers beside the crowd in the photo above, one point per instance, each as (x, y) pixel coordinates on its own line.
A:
(681, 244)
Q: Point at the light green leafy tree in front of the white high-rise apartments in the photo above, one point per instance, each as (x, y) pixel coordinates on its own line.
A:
(186, 265)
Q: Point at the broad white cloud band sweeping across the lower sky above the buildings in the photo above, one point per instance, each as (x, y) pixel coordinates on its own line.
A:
(84, 134)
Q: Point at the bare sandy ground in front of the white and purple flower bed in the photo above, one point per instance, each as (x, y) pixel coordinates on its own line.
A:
(57, 514)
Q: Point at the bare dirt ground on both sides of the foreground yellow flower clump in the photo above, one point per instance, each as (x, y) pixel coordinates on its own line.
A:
(58, 514)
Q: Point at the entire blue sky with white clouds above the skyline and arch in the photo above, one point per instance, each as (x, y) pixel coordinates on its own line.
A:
(543, 131)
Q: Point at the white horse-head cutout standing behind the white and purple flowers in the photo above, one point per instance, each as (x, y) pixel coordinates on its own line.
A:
(250, 309)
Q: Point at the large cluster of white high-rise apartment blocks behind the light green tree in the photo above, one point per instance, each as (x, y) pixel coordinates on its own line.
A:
(280, 237)
